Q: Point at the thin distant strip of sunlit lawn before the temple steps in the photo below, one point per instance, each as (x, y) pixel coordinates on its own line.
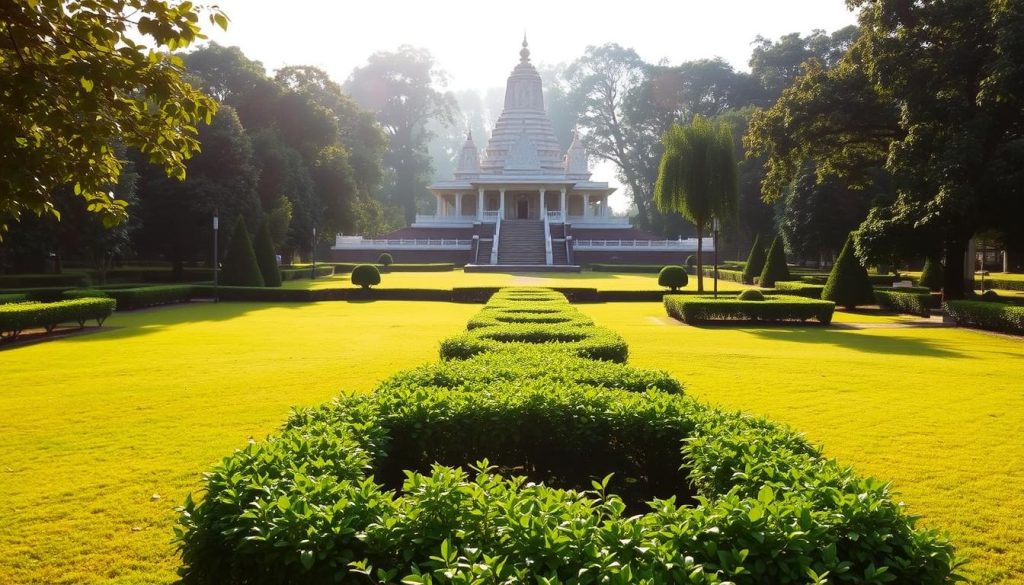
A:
(448, 280)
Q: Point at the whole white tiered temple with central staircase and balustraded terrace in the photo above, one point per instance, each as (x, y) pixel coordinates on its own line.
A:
(523, 203)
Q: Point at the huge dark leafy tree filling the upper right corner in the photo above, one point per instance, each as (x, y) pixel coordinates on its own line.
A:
(933, 93)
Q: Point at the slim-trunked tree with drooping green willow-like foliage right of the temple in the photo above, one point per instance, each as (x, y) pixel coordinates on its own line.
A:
(698, 178)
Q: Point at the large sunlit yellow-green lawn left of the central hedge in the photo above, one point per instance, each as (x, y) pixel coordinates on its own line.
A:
(95, 426)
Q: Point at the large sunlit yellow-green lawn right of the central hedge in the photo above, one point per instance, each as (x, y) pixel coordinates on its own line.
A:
(936, 411)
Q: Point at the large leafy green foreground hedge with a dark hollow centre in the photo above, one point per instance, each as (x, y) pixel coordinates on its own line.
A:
(535, 467)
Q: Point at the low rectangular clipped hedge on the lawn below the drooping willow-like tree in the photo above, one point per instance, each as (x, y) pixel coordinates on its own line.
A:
(774, 309)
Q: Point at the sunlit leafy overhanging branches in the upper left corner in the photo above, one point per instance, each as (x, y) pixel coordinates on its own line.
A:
(75, 79)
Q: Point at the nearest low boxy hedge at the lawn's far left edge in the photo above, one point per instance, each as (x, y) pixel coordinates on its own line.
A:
(16, 318)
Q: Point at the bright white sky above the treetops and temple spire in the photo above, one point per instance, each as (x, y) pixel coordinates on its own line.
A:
(478, 44)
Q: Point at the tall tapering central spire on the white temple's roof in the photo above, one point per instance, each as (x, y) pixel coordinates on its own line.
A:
(524, 114)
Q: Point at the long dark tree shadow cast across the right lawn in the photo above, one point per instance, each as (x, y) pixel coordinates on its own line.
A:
(859, 341)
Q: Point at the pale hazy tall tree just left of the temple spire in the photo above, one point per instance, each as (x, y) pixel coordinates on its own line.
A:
(406, 90)
